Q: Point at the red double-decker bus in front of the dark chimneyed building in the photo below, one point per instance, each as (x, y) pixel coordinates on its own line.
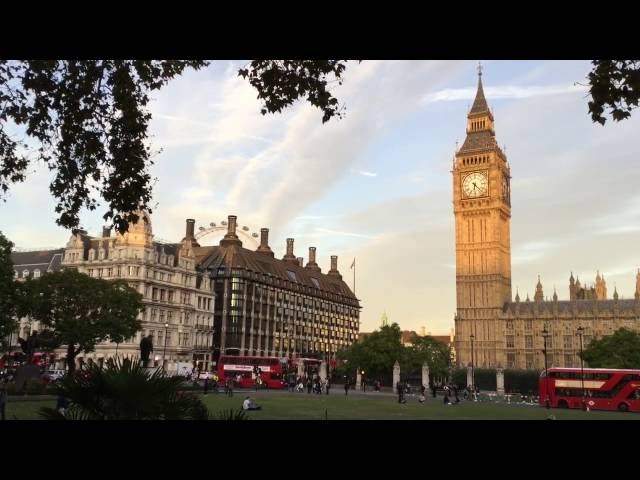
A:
(243, 371)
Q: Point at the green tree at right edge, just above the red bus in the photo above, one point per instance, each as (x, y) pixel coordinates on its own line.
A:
(620, 350)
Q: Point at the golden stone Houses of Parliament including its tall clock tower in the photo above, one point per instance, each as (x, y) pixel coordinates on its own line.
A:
(498, 329)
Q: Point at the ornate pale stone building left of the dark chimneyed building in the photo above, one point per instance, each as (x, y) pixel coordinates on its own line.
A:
(178, 299)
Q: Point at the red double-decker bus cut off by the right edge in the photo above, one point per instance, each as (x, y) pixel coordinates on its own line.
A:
(593, 388)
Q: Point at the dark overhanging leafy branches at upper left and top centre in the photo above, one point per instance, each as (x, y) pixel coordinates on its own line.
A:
(89, 120)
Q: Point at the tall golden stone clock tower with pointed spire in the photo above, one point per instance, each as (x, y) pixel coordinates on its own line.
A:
(482, 209)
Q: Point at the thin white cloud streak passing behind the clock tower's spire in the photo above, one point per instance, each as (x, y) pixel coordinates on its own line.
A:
(502, 92)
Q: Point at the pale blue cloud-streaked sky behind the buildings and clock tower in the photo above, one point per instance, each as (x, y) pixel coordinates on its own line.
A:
(376, 185)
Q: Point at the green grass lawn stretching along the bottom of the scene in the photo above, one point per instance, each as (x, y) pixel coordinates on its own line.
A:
(297, 406)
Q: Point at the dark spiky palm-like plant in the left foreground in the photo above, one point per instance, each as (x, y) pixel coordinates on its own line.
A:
(123, 390)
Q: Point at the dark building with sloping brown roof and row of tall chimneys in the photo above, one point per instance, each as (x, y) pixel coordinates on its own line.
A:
(276, 307)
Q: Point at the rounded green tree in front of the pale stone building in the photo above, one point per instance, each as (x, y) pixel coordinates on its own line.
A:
(81, 311)
